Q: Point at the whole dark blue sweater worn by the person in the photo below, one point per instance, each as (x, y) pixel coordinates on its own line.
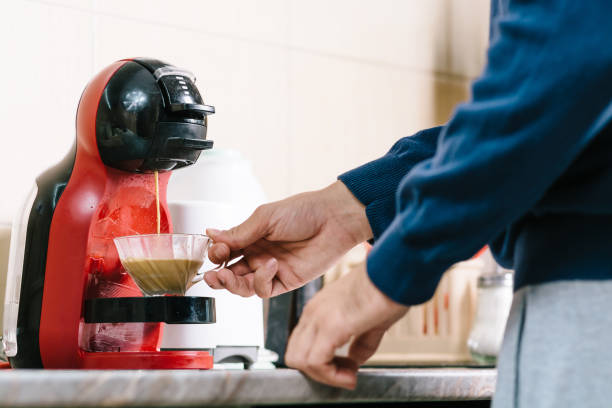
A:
(525, 165)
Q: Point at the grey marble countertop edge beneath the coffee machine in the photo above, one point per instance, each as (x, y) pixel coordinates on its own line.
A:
(47, 388)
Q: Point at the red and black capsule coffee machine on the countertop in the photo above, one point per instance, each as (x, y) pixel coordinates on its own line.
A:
(69, 302)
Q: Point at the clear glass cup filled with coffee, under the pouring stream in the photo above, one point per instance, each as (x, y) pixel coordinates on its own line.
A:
(164, 264)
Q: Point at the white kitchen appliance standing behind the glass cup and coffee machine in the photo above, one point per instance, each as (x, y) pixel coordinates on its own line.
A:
(220, 192)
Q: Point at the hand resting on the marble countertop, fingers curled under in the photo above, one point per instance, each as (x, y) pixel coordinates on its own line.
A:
(349, 309)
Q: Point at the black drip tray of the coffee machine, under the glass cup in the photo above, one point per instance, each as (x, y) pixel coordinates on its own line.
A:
(163, 309)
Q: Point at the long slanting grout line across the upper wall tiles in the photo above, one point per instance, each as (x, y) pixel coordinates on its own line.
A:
(436, 74)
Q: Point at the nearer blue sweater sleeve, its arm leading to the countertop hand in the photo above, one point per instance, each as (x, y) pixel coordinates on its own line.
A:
(544, 95)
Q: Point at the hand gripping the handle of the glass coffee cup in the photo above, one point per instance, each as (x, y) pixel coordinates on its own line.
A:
(288, 243)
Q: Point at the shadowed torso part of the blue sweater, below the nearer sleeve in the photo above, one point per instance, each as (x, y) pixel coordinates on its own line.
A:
(565, 235)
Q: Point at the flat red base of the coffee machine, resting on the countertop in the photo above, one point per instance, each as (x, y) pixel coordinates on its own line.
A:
(152, 360)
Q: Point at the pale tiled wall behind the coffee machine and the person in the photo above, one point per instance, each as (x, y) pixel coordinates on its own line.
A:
(304, 88)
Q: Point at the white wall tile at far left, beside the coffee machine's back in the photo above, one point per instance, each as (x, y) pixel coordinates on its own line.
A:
(48, 53)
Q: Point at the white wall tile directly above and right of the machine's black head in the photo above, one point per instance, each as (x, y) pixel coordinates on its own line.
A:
(247, 84)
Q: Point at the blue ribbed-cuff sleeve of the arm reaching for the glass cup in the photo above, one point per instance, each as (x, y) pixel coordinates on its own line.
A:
(374, 184)
